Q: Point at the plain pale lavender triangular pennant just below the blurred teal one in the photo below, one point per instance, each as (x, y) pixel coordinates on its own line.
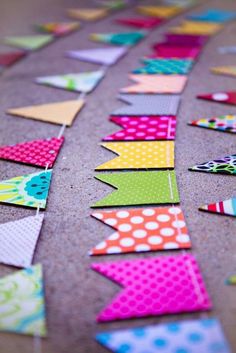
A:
(106, 56)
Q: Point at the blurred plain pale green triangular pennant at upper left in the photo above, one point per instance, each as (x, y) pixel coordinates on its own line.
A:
(33, 42)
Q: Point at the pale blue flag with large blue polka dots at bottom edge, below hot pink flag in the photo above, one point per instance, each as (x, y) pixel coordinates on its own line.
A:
(192, 336)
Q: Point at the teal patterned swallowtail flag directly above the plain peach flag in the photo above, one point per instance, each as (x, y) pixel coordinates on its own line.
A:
(165, 66)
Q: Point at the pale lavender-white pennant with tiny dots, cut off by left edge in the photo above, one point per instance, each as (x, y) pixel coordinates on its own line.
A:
(19, 239)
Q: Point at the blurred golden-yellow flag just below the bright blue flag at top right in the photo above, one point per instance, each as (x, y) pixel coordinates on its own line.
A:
(193, 27)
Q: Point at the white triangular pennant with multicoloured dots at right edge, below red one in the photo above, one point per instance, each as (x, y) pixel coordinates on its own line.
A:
(225, 123)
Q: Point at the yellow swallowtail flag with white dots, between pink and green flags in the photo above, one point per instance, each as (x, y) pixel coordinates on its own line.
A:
(140, 155)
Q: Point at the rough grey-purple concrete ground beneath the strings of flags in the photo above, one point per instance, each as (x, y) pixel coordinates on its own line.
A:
(74, 293)
